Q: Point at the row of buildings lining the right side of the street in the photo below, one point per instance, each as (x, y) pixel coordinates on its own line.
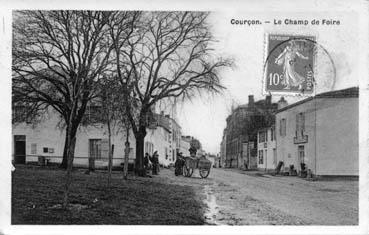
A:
(318, 133)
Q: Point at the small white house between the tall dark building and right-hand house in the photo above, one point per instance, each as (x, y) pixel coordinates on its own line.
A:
(267, 152)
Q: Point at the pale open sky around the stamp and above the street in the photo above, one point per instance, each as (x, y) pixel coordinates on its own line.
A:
(204, 117)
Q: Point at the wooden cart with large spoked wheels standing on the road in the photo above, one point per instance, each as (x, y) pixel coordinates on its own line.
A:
(192, 163)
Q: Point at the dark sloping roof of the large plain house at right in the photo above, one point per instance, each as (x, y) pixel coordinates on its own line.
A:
(352, 92)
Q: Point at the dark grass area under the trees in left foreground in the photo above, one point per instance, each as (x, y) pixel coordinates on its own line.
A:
(38, 192)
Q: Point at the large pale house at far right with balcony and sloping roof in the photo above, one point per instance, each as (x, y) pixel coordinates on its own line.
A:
(321, 132)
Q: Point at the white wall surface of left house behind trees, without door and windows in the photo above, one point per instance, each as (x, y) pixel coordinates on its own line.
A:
(48, 134)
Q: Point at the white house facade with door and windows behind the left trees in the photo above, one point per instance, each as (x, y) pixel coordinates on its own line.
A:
(46, 139)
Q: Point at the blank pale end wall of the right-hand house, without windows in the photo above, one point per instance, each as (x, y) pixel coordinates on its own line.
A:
(337, 137)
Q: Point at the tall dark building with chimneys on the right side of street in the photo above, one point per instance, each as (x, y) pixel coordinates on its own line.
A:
(241, 131)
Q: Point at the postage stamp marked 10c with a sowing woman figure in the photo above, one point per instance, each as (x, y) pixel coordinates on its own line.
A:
(290, 64)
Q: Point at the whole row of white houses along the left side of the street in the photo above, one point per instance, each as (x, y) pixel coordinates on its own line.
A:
(46, 140)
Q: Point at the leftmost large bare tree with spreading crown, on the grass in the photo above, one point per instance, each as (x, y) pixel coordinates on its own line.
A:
(58, 56)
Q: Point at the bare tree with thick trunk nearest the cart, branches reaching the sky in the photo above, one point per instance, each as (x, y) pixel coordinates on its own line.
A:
(167, 55)
